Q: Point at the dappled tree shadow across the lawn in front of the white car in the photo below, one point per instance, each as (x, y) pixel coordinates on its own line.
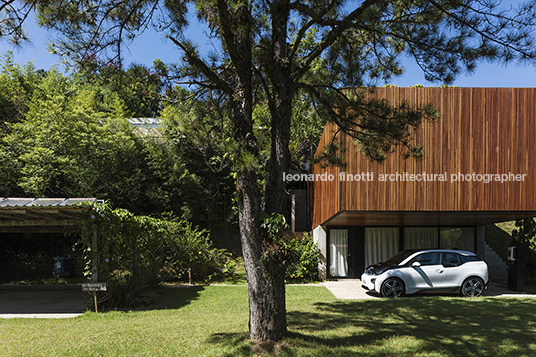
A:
(406, 327)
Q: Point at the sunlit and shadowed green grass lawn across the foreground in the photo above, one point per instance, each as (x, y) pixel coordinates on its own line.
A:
(212, 321)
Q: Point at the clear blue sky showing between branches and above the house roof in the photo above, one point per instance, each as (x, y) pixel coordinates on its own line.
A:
(150, 46)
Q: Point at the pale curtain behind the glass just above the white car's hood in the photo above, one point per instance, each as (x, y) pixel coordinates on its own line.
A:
(380, 244)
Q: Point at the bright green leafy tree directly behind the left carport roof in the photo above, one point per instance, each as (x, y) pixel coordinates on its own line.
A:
(73, 144)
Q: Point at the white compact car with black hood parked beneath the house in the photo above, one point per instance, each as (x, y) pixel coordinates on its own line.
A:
(413, 270)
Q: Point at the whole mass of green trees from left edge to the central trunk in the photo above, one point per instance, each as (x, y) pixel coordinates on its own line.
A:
(65, 136)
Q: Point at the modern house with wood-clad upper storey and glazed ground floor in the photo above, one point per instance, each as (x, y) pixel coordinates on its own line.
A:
(477, 169)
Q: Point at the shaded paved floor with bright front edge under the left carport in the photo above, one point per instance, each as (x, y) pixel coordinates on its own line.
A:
(42, 301)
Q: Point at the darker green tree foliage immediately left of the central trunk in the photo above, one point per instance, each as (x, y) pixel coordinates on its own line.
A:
(197, 161)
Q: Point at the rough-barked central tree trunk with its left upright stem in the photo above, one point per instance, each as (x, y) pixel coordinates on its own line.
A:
(266, 286)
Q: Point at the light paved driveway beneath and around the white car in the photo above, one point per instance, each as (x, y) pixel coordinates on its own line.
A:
(351, 289)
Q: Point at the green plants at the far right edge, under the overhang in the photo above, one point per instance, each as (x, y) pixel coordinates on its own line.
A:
(525, 235)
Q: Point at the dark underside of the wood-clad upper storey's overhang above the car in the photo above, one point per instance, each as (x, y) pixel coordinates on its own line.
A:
(424, 218)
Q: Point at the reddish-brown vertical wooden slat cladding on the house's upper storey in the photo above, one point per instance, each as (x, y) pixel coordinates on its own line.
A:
(481, 131)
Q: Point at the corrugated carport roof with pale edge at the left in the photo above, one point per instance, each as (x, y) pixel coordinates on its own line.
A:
(42, 215)
